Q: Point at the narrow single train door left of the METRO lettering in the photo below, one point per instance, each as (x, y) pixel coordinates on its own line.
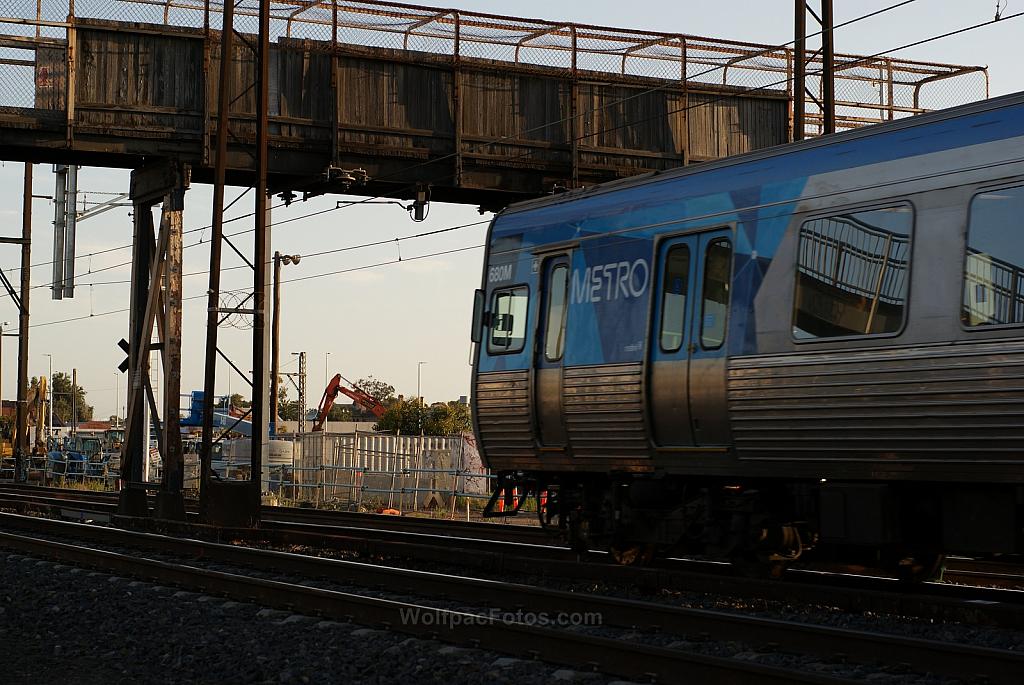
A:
(549, 350)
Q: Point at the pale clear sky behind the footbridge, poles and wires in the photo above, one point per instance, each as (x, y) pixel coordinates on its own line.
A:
(385, 321)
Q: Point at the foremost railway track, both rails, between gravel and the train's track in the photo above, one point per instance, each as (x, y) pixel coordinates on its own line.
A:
(574, 649)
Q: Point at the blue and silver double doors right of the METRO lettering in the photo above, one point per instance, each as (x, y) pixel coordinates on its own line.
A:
(688, 349)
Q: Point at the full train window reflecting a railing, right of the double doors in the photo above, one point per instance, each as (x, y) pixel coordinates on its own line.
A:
(852, 274)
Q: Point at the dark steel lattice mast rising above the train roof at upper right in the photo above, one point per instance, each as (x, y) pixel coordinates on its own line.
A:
(827, 99)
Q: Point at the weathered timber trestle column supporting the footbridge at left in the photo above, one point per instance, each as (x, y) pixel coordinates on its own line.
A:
(156, 298)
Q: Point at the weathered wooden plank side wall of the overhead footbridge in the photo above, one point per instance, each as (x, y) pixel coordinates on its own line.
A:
(144, 92)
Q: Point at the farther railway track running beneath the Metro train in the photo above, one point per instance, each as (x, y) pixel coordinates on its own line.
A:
(432, 542)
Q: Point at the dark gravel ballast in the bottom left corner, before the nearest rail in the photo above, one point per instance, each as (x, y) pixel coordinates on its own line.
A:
(67, 625)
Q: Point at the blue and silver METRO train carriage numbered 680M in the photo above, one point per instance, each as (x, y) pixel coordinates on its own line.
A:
(816, 350)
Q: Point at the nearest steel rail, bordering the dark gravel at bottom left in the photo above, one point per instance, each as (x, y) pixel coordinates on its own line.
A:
(575, 650)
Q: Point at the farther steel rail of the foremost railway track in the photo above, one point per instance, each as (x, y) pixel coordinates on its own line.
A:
(948, 659)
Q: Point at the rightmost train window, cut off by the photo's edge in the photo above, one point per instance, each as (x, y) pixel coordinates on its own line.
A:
(994, 270)
